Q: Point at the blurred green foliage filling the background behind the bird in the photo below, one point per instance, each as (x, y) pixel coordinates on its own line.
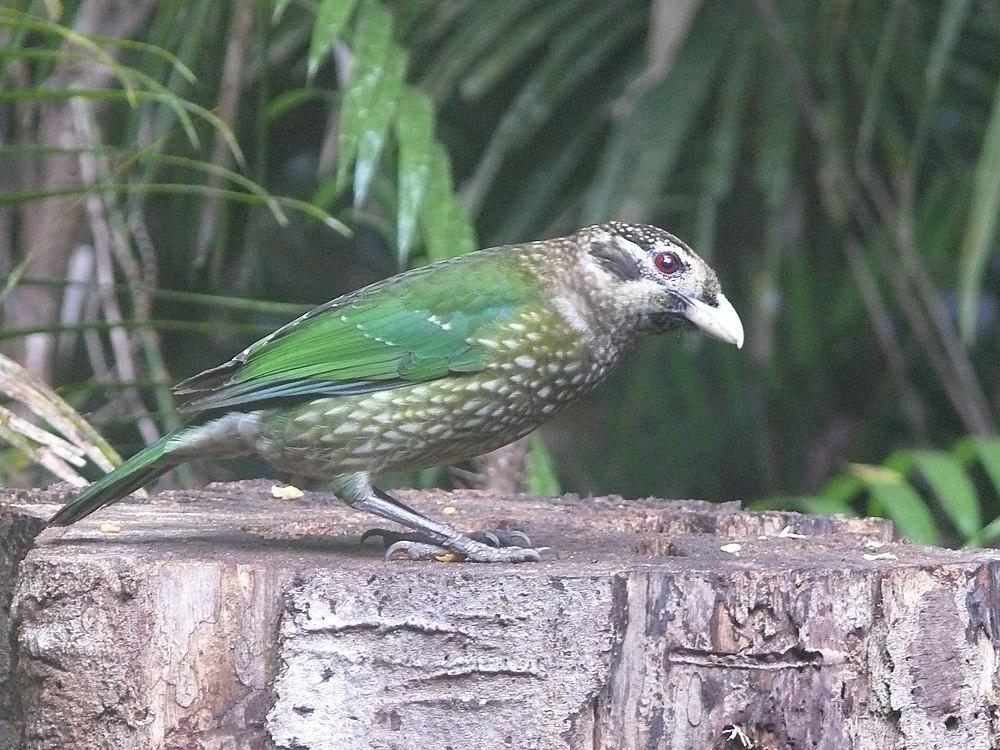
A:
(837, 162)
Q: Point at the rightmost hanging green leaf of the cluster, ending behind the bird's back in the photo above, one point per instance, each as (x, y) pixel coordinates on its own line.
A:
(446, 225)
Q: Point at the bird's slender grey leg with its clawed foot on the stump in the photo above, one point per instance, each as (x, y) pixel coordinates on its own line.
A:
(442, 537)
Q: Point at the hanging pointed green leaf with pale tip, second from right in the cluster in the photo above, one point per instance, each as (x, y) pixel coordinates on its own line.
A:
(414, 133)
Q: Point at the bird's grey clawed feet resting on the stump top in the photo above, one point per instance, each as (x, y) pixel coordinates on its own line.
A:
(486, 546)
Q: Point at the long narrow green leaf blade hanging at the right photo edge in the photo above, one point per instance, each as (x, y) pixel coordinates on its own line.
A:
(980, 232)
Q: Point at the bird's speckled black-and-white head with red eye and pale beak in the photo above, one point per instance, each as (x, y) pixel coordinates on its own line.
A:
(661, 281)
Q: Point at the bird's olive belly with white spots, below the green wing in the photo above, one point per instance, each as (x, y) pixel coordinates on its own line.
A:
(438, 422)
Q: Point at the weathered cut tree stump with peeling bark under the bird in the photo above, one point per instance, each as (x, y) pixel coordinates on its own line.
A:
(226, 618)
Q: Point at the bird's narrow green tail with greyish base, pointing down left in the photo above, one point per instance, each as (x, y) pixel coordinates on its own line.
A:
(224, 437)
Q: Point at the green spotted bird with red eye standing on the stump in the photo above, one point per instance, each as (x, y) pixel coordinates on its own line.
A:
(434, 366)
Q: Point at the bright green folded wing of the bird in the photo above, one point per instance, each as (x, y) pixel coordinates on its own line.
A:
(415, 327)
